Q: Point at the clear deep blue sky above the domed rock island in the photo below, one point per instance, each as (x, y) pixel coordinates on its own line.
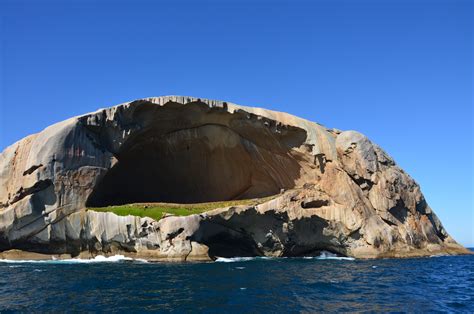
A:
(400, 72)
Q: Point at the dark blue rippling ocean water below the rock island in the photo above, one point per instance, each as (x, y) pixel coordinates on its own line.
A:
(258, 285)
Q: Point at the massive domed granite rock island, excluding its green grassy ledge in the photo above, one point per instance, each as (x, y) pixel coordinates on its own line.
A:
(336, 191)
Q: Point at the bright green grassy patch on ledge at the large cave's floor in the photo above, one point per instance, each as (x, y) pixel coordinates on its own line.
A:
(158, 210)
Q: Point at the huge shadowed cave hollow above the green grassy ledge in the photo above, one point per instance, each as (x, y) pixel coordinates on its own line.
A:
(209, 157)
